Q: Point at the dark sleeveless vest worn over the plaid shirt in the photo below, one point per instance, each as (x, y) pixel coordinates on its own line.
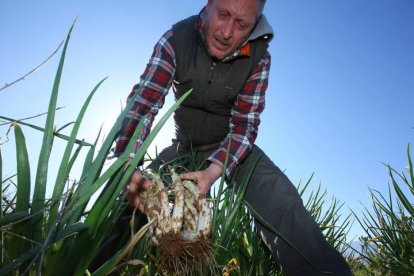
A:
(203, 118)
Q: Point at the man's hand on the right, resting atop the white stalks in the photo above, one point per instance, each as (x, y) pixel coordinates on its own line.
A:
(204, 179)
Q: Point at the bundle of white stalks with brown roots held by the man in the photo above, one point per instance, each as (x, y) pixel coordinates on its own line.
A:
(181, 224)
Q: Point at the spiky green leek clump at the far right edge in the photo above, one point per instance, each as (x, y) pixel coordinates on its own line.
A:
(388, 243)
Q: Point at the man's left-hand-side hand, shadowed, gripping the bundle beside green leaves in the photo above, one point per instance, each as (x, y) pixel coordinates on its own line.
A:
(137, 183)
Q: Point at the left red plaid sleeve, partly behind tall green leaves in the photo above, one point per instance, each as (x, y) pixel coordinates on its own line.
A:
(155, 82)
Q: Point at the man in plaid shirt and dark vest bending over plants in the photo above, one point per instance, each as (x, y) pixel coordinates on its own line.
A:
(222, 54)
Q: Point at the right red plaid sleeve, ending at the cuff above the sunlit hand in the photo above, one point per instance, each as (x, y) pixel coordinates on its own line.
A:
(245, 118)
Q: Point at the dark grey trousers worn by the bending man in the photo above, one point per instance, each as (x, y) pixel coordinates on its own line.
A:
(272, 195)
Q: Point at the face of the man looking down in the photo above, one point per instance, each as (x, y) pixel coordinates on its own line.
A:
(228, 24)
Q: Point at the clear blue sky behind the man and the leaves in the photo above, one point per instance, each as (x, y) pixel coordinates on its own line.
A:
(340, 99)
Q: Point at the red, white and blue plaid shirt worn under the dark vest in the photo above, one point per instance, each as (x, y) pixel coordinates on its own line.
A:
(156, 82)
